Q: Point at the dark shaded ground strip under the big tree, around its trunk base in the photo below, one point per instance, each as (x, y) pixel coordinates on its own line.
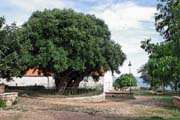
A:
(41, 91)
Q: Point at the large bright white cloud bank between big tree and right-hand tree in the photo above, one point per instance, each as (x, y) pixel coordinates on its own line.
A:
(128, 25)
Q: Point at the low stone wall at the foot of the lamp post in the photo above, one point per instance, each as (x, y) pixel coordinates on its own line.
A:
(119, 95)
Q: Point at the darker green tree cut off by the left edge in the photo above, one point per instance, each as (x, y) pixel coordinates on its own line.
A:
(12, 50)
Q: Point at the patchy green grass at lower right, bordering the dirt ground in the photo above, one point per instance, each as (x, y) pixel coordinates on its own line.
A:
(165, 111)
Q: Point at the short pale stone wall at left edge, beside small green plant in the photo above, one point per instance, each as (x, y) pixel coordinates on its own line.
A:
(9, 98)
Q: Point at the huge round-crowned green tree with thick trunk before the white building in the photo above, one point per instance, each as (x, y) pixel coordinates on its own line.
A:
(70, 45)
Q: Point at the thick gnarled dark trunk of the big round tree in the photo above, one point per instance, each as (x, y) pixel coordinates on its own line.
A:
(68, 81)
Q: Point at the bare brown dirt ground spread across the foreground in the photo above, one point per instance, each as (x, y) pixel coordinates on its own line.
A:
(38, 108)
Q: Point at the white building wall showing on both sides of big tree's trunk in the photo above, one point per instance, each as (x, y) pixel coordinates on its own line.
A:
(48, 82)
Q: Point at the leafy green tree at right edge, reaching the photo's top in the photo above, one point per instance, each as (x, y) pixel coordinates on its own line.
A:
(164, 57)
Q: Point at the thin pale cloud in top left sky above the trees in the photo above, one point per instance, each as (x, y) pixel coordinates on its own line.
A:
(24, 8)
